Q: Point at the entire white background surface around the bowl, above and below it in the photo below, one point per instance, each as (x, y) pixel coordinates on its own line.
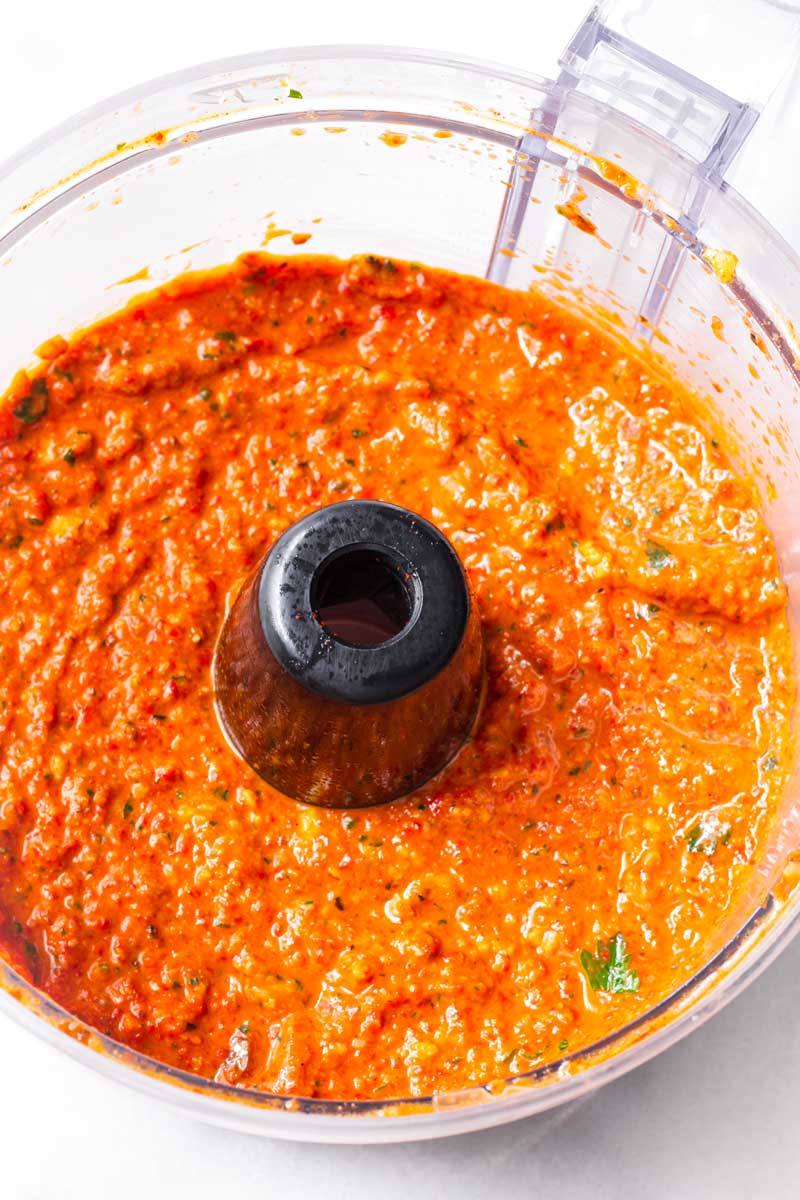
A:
(718, 1115)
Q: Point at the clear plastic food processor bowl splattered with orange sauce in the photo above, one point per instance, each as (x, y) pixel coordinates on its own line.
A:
(459, 165)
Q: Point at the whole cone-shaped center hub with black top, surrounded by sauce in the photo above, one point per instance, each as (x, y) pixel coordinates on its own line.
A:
(350, 669)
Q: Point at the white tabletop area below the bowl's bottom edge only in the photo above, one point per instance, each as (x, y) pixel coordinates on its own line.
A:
(713, 1119)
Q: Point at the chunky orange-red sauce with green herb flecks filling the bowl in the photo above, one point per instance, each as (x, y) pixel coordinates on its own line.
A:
(573, 866)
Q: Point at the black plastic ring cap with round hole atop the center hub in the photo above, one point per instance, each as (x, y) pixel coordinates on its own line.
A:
(363, 602)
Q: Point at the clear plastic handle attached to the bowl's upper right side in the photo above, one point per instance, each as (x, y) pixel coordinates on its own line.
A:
(688, 74)
